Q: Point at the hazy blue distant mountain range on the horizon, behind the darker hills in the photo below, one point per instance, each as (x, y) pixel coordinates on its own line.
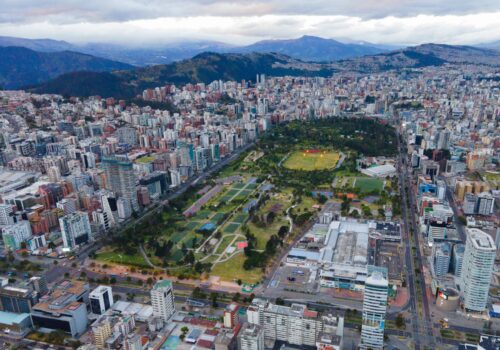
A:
(306, 48)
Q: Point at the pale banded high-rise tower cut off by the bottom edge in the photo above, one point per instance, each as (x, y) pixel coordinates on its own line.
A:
(374, 308)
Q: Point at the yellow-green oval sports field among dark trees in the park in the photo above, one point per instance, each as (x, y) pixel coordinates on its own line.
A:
(309, 161)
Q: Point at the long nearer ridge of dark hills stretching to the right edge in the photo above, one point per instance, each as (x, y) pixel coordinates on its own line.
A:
(207, 67)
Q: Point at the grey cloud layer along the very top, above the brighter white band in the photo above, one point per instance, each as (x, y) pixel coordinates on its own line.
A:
(99, 11)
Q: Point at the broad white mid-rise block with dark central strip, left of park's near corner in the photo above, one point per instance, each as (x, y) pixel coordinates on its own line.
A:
(75, 229)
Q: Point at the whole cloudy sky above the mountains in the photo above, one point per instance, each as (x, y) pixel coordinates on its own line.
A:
(240, 22)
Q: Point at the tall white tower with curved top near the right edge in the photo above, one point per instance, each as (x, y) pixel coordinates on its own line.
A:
(477, 267)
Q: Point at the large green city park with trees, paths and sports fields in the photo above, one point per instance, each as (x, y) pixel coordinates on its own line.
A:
(235, 223)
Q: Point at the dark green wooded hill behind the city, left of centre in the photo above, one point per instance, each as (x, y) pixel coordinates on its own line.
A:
(205, 68)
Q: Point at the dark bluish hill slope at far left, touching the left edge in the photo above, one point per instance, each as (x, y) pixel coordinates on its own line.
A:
(21, 66)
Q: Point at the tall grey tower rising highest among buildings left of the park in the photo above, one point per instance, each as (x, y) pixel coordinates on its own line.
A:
(120, 178)
